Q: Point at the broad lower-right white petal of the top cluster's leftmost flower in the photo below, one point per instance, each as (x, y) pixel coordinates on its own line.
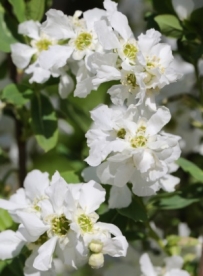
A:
(55, 57)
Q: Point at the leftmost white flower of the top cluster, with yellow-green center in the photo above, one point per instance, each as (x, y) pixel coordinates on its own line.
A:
(43, 57)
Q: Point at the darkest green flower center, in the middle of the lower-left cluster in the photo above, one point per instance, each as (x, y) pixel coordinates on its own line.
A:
(60, 225)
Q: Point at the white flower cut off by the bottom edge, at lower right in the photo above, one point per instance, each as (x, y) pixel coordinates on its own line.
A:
(172, 268)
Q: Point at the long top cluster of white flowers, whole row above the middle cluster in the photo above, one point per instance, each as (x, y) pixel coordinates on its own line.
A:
(98, 47)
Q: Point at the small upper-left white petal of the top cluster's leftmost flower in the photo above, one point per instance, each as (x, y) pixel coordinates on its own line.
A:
(30, 28)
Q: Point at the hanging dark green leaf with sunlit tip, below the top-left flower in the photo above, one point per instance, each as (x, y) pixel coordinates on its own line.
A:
(44, 122)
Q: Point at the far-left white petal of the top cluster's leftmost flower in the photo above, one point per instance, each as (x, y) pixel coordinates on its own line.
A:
(21, 54)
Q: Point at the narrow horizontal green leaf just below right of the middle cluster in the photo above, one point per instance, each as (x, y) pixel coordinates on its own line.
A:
(175, 202)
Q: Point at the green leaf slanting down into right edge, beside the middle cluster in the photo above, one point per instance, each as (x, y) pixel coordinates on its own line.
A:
(191, 168)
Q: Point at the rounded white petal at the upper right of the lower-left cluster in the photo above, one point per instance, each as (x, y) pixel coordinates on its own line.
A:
(91, 197)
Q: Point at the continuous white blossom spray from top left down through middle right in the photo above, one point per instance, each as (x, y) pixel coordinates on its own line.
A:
(126, 141)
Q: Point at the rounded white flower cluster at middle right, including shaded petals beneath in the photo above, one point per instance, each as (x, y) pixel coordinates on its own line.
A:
(134, 149)
